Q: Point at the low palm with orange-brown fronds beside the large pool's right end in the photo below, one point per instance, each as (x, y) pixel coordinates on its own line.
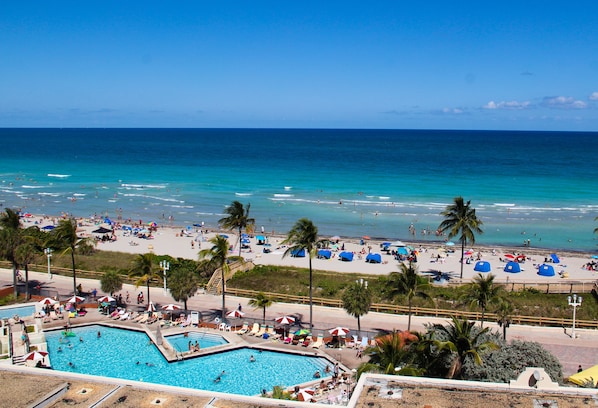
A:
(392, 355)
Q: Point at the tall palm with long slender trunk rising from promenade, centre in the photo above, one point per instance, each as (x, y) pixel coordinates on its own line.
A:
(303, 236)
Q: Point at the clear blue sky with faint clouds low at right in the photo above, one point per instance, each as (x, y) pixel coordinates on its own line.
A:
(522, 65)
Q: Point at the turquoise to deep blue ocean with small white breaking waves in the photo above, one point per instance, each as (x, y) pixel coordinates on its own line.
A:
(536, 186)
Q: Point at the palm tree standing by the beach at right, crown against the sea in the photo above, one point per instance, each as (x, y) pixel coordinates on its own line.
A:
(460, 219)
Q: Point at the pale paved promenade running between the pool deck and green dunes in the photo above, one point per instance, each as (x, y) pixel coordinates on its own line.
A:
(571, 352)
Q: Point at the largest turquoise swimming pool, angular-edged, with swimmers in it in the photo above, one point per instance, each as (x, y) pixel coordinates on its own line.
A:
(128, 354)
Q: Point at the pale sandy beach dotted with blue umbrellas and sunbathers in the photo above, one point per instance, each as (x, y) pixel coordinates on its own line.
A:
(185, 243)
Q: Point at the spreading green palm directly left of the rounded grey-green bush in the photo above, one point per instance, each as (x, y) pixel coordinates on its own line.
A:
(462, 340)
